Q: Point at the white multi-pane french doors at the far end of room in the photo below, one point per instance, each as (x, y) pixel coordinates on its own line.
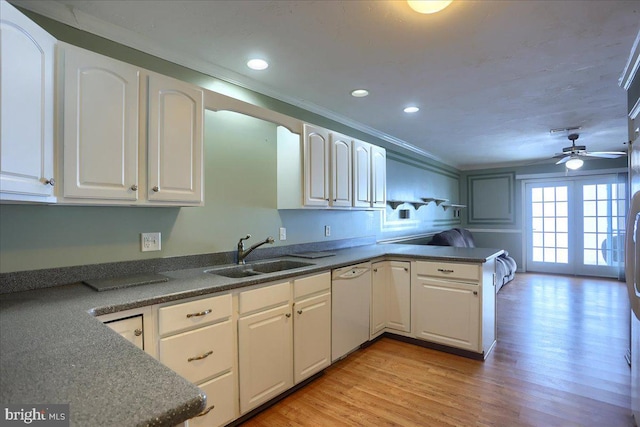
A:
(576, 226)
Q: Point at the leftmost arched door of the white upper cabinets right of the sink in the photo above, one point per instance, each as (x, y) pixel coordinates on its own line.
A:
(316, 166)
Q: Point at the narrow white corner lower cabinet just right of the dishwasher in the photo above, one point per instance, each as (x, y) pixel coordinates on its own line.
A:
(391, 297)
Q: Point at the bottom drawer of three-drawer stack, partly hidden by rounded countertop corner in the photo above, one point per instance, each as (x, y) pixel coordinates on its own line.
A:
(220, 402)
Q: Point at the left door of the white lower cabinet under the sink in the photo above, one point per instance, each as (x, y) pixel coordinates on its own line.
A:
(265, 350)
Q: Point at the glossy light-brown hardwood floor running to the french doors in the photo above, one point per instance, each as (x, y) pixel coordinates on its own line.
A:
(559, 361)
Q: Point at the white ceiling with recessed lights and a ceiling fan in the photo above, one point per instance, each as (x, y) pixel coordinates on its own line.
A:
(491, 77)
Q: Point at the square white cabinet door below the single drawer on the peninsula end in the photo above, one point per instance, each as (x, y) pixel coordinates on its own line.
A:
(447, 312)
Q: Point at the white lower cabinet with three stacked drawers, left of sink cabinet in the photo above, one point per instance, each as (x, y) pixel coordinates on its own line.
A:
(197, 341)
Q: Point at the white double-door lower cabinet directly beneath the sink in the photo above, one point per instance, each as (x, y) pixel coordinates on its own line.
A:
(284, 337)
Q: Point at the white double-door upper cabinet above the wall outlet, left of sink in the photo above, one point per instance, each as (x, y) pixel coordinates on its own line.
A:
(113, 152)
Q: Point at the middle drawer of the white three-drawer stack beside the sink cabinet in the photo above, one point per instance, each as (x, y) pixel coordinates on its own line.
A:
(201, 353)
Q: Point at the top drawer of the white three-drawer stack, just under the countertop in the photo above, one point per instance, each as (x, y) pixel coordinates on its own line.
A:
(193, 314)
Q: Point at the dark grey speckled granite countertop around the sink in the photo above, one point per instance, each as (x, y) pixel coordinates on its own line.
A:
(53, 350)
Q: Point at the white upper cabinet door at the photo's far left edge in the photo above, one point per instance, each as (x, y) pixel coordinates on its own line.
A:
(26, 108)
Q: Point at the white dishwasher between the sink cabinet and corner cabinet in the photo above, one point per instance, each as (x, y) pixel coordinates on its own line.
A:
(350, 305)
